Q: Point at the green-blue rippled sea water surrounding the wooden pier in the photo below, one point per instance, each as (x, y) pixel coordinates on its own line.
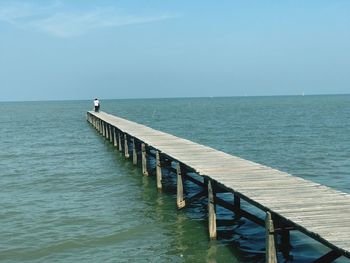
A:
(67, 195)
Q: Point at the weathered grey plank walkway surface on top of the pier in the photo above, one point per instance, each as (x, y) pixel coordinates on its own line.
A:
(318, 211)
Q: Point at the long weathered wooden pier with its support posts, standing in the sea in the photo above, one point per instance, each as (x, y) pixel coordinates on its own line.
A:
(290, 203)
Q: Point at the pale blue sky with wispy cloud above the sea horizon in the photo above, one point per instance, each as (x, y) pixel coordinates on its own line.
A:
(82, 49)
